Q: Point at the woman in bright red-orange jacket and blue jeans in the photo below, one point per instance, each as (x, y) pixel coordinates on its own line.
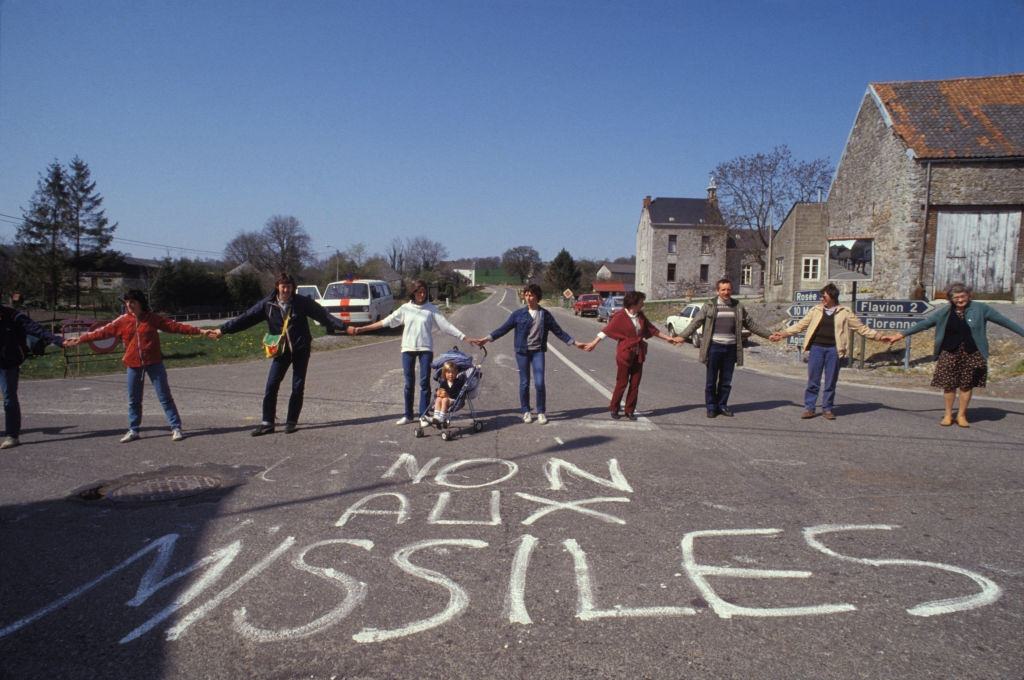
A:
(139, 329)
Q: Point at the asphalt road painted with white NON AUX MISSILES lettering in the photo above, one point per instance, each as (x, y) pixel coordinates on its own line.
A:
(762, 546)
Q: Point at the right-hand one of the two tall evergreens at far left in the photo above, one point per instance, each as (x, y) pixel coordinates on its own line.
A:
(90, 233)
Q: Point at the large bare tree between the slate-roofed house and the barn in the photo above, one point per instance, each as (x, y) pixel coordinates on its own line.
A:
(756, 192)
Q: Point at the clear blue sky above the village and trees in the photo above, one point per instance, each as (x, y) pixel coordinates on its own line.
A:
(481, 124)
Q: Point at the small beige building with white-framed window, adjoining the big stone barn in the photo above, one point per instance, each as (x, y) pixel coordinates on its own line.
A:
(797, 257)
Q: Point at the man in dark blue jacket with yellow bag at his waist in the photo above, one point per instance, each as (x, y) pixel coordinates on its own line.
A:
(296, 345)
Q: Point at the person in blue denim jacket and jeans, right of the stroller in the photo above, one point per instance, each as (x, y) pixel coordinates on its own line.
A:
(532, 324)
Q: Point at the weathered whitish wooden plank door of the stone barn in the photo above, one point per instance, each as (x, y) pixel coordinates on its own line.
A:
(977, 248)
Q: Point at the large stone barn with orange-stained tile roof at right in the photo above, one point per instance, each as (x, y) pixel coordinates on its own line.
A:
(933, 173)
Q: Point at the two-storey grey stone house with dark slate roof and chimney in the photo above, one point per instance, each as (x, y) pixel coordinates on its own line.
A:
(681, 247)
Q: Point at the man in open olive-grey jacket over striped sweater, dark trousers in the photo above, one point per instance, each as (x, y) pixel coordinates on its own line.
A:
(723, 321)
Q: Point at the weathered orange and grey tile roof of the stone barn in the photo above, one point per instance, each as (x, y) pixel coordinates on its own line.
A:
(958, 119)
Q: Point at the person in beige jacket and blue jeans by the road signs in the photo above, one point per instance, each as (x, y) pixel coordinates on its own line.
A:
(828, 327)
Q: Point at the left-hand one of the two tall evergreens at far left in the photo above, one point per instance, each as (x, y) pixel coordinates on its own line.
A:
(42, 235)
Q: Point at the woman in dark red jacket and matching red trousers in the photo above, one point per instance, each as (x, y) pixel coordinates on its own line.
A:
(631, 328)
